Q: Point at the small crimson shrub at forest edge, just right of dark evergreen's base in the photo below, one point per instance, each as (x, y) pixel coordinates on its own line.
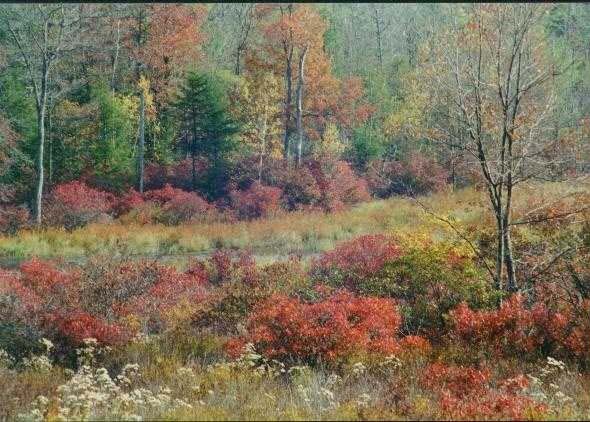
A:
(257, 202)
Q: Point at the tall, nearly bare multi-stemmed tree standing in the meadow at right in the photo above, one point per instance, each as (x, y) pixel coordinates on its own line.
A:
(493, 71)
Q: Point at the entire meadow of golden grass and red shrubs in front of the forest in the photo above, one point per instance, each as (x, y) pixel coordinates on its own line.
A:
(392, 317)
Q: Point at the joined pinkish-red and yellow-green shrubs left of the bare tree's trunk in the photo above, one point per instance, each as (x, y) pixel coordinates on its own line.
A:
(427, 280)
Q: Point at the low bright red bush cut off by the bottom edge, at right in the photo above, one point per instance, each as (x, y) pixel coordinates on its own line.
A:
(466, 393)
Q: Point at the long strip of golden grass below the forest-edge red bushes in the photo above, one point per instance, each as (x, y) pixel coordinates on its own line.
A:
(298, 232)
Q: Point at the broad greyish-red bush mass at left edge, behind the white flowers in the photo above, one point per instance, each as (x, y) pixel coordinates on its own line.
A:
(97, 300)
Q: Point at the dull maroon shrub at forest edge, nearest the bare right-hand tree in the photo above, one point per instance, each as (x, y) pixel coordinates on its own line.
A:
(417, 175)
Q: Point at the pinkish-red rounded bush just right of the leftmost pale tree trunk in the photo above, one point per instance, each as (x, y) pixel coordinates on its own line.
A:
(75, 204)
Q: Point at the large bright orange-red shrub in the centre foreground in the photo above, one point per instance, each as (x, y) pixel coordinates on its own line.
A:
(286, 328)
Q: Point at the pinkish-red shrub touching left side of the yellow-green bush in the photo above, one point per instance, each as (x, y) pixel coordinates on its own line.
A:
(356, 259)
